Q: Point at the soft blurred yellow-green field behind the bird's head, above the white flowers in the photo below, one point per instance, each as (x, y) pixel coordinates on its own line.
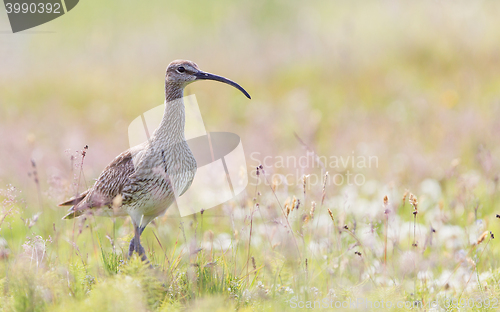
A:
(414, 83)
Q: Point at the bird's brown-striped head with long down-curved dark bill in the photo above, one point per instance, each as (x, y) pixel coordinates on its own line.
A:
(181, 73)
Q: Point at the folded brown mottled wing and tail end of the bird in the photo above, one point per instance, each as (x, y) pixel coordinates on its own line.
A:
(109, 184)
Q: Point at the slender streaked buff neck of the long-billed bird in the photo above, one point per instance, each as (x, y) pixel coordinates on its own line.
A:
(171, 130)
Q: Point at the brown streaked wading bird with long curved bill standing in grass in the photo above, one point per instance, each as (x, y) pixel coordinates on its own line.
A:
(143, 181)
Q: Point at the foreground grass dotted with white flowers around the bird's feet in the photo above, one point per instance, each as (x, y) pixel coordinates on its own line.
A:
(293, 255)
